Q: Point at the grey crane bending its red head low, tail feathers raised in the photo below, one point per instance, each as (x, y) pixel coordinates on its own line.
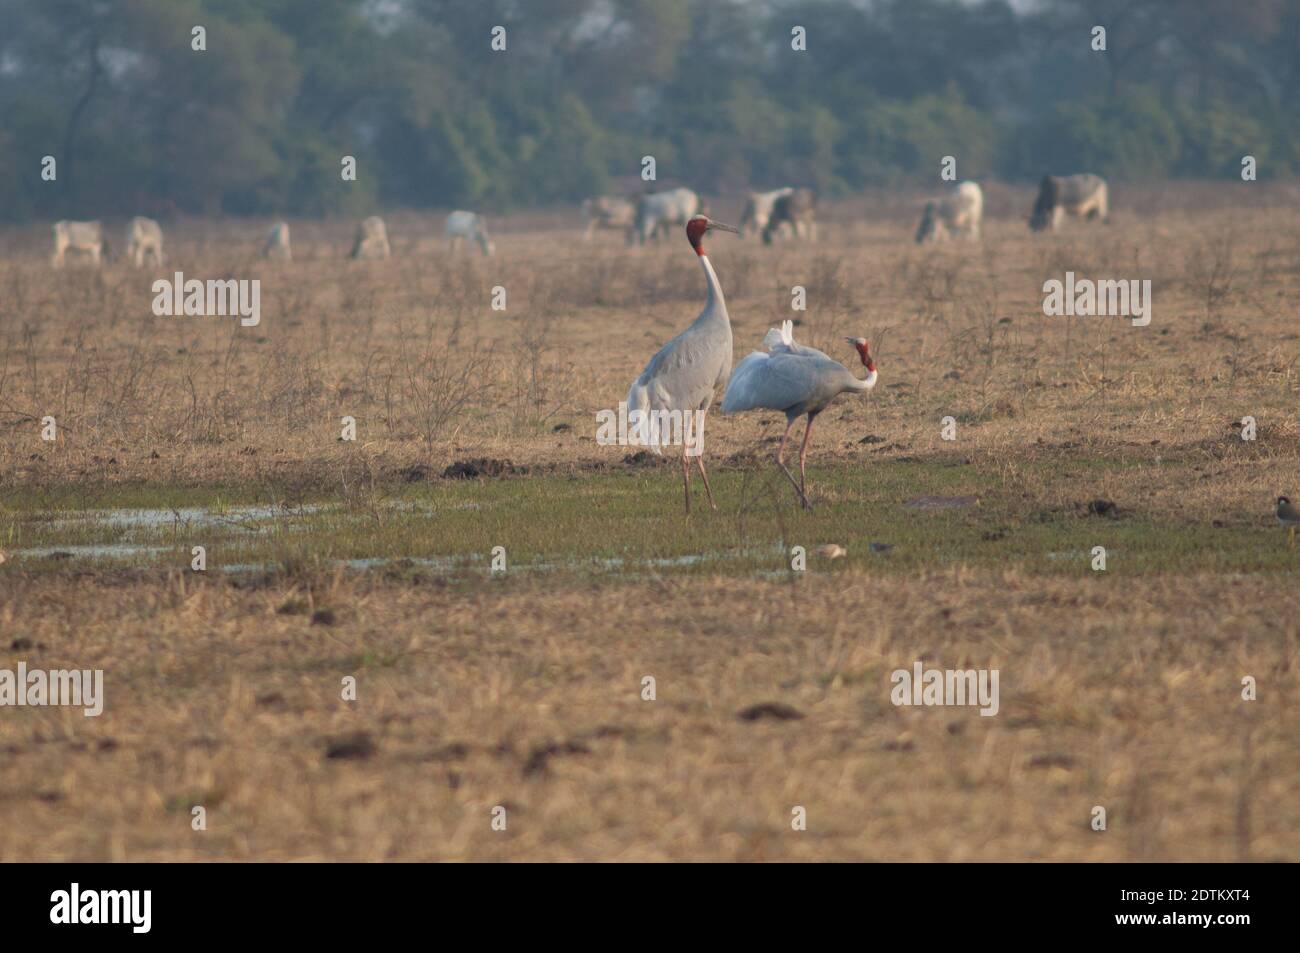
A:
(798, 380)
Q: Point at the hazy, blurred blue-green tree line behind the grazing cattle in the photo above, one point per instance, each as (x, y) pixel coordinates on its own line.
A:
(259, 123)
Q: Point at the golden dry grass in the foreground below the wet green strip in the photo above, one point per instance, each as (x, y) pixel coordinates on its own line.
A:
(530, 698)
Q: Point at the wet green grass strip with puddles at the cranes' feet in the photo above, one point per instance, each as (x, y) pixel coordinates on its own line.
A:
(629, 523)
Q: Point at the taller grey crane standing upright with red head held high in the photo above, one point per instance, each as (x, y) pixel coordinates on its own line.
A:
(683, 376)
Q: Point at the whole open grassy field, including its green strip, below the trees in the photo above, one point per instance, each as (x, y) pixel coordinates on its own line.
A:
(523, 690)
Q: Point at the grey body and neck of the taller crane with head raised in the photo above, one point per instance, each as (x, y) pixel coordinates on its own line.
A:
(687, 372)
